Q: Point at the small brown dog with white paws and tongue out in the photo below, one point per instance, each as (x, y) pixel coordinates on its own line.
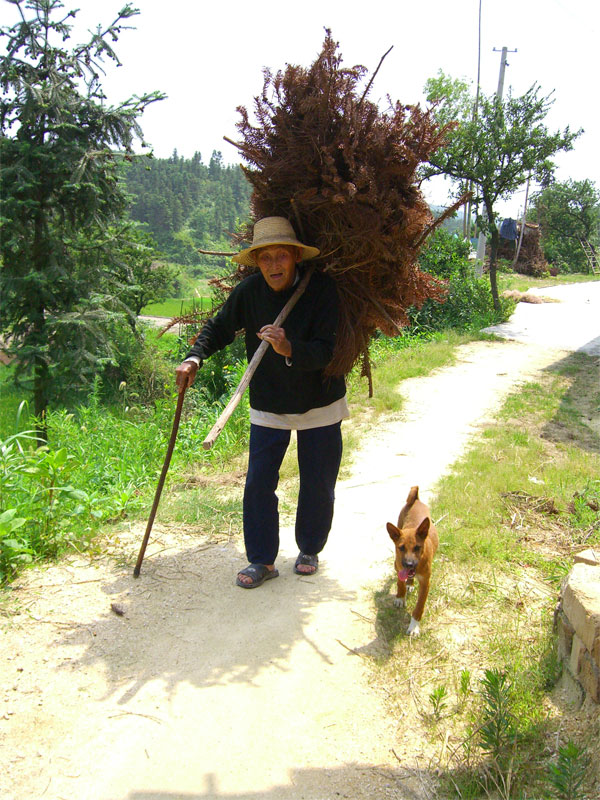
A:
(416, 541)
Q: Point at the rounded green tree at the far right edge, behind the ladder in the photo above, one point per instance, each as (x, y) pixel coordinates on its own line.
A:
(567, 213)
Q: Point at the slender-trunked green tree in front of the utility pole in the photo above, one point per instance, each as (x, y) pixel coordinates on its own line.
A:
(496, 150)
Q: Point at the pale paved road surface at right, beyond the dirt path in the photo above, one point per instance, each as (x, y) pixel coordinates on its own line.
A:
(572, 323)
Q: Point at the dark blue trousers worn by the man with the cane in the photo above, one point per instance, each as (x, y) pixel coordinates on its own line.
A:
(319, 456)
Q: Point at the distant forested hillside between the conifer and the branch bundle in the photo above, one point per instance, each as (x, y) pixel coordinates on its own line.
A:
(186, 204)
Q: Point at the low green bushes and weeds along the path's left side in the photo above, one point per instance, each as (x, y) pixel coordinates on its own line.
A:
(102, 464)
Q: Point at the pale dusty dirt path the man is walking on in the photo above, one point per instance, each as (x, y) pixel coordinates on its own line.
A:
(181, 686)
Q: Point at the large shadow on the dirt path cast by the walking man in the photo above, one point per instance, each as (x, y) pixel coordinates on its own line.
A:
(176, 622)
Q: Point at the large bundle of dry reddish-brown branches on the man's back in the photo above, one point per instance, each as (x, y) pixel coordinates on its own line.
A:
(345, 174)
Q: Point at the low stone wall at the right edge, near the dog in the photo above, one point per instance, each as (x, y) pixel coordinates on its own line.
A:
(577, 619)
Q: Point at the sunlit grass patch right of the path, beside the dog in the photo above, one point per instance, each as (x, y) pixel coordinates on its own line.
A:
(513, 511)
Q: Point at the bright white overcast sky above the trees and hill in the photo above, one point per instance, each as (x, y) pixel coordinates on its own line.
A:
(208, 58)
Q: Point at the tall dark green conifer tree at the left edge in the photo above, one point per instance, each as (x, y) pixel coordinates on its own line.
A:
(63, 203)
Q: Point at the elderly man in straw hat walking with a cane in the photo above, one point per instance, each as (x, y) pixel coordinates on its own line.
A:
(288, 392)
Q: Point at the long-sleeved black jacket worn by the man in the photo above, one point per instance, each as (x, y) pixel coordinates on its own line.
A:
(310, 328)
